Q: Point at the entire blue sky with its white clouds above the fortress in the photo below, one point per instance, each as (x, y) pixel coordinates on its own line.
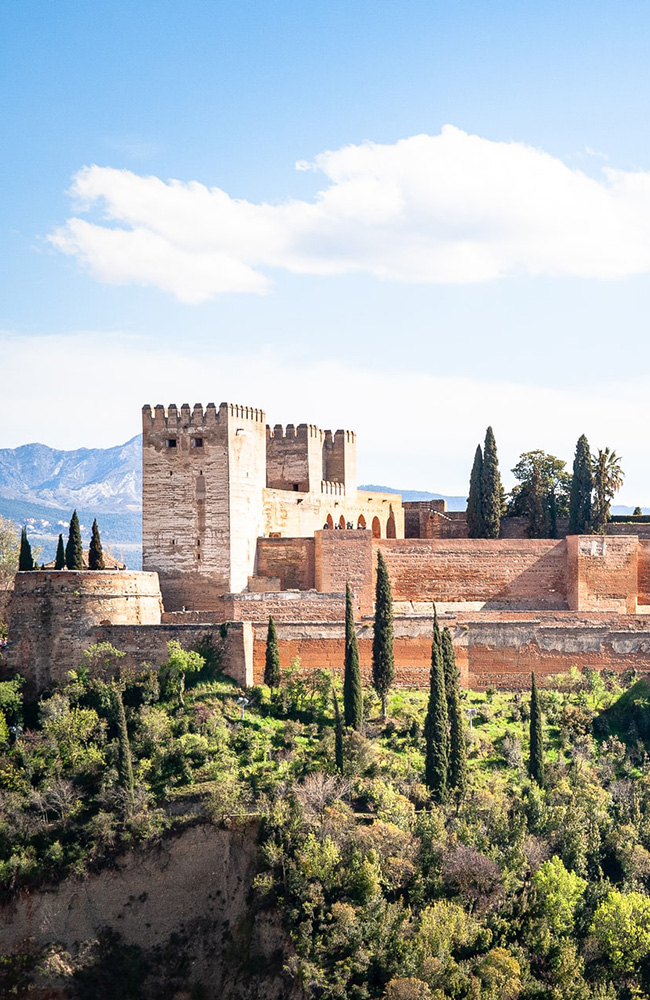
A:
(541, 331)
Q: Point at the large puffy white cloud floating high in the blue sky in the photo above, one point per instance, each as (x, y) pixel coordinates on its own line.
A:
(449, 208)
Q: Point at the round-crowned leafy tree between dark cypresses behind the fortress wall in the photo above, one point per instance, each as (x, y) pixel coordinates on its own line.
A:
(542, 494)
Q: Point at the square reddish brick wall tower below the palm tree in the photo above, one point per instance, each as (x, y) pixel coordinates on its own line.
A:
(603, 573)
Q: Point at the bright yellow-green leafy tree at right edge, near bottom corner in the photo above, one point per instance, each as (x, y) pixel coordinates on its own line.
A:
(621, 926)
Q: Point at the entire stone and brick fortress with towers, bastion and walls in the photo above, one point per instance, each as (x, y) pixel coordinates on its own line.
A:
(241, 521)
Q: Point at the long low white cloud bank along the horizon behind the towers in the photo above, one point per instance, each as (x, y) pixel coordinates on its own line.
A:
(414, 430)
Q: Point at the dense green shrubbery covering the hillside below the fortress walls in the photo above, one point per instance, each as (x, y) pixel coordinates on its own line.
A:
(508, 890)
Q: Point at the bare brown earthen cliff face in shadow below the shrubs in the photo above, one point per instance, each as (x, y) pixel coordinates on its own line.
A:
(173, 921)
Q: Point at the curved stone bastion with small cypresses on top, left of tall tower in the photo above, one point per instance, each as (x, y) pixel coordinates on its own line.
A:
(51, 613)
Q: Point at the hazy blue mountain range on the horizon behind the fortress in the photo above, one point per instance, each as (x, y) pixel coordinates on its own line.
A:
(41, 486)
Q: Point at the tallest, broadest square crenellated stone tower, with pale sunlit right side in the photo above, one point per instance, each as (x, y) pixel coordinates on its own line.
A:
(203, 476)
